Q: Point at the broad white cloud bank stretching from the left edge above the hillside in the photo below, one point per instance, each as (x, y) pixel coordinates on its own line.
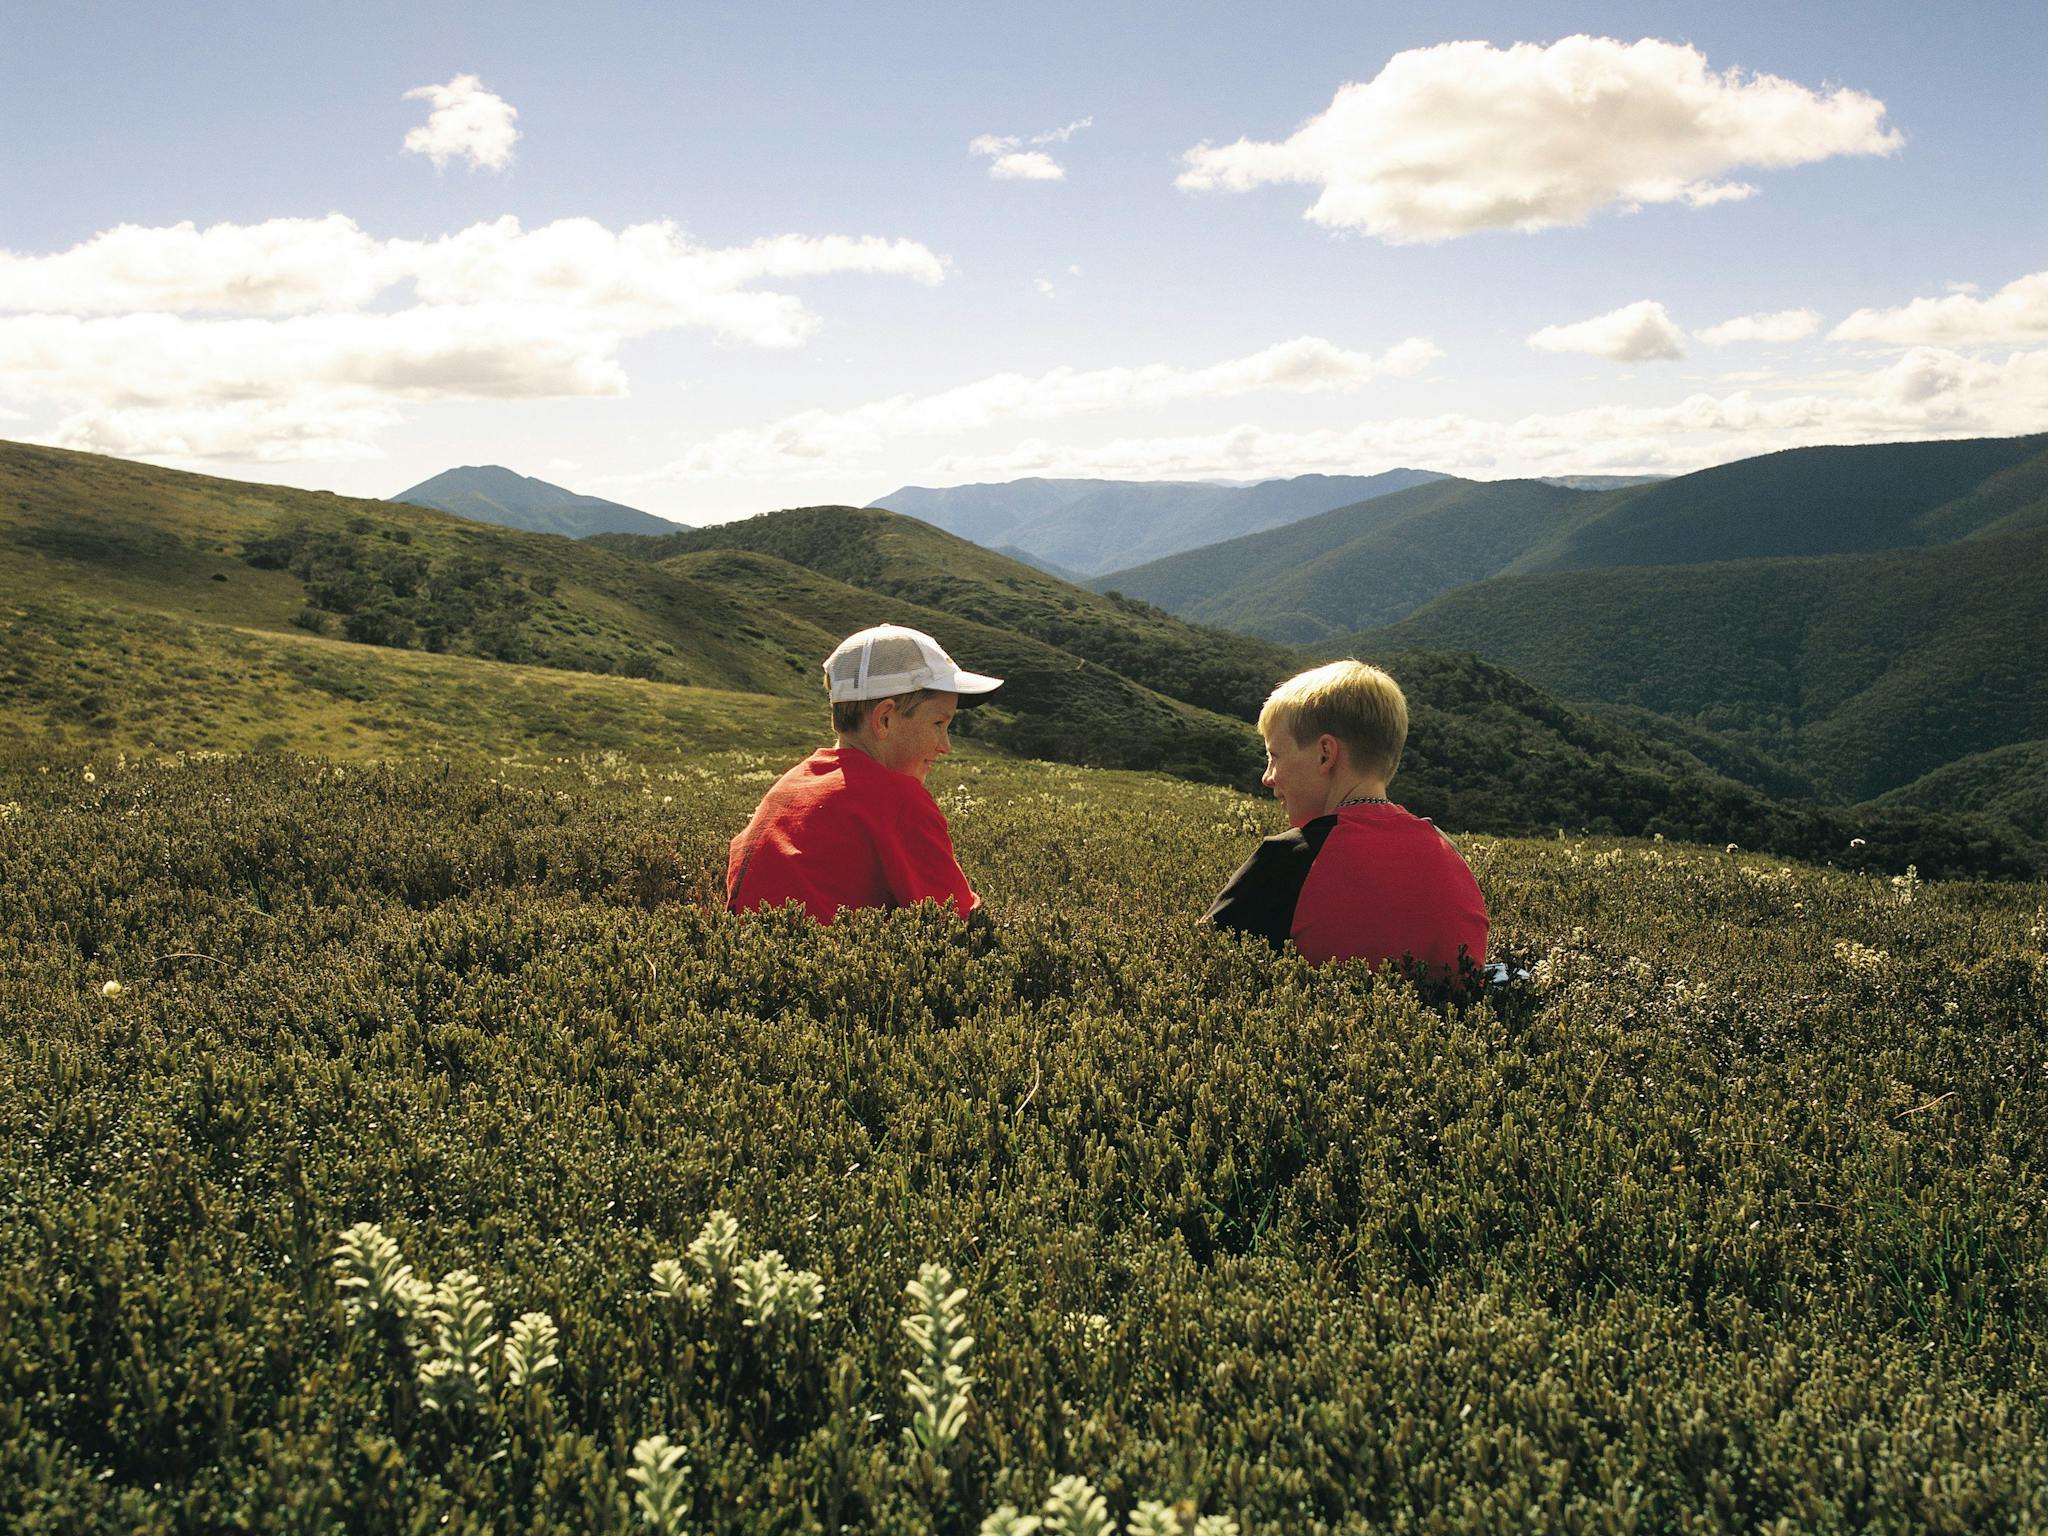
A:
(298, 339)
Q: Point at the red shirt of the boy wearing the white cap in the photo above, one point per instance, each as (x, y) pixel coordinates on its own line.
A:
(839, 830)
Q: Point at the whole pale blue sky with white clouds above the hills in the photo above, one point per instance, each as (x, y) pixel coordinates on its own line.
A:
(722, 259)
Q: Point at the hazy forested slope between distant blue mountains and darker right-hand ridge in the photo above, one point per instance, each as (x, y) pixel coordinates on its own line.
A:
(1357, 566)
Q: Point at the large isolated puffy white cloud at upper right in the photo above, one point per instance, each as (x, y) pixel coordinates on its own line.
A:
(1461, 138)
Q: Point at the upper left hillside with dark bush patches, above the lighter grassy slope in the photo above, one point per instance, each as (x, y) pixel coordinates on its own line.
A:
(269, 558)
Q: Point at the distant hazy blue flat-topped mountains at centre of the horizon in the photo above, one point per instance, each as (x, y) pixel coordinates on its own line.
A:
(1099, 525)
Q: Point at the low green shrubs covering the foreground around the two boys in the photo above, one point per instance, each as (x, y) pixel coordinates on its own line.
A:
(1732, 1220)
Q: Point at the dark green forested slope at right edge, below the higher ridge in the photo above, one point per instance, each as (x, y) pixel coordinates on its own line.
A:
(1865, 673)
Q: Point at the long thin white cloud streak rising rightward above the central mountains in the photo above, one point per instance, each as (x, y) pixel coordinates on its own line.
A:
(818, 441)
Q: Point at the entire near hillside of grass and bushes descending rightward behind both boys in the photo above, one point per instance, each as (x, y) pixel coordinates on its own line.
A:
(157, 611)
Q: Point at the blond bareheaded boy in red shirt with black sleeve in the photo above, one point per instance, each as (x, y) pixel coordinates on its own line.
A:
(1355, 878)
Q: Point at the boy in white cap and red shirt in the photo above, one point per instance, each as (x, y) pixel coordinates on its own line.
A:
(853, 824)
